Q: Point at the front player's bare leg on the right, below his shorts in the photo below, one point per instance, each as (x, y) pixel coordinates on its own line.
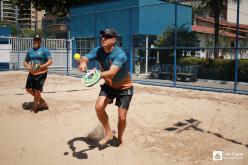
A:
(122, 114)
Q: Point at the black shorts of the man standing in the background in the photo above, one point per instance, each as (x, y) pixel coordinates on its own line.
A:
(36, 81)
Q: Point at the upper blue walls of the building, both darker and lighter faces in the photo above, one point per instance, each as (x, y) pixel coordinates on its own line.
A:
(127, 17)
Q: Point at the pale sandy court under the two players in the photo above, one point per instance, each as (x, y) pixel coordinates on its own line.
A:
(164, 125)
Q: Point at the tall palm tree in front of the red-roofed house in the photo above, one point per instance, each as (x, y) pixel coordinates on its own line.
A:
(216, 7)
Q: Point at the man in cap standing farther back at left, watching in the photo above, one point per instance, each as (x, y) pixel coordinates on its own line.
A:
(36, 62)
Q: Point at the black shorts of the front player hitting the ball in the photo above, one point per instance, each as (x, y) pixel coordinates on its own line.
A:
(123, 97)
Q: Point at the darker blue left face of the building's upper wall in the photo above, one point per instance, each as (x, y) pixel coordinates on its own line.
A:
(87, 20)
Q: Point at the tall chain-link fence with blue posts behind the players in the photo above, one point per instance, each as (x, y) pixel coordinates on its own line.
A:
(167, 43)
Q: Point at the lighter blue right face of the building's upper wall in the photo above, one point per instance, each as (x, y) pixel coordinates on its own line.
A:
(155, 16)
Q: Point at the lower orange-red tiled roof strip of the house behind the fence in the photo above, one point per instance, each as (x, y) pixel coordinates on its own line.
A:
(209, 30)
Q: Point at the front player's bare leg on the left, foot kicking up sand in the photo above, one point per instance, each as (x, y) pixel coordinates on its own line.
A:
(101, 104)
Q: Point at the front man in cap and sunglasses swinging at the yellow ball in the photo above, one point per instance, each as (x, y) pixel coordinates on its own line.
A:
(118, 85)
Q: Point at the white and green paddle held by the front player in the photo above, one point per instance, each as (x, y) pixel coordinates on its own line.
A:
(90, 77)
